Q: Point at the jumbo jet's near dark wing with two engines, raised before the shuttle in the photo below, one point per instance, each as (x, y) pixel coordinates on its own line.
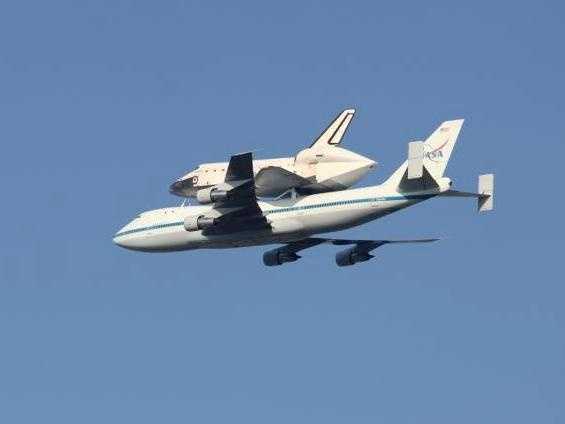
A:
(239, 210)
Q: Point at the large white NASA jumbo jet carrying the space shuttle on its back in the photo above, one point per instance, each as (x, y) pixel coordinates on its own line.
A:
(236, 218)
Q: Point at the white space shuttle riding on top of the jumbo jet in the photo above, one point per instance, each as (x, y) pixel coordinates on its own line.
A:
(322, 167)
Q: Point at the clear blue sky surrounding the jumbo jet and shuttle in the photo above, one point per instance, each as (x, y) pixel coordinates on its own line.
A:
(103, 104)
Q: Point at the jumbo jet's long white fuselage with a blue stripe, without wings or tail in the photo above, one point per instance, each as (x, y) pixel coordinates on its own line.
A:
(290, 219)
